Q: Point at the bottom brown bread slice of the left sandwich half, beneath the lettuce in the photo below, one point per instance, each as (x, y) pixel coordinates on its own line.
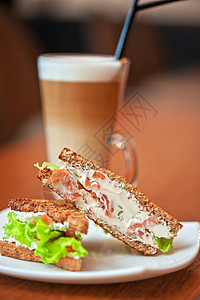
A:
(23, 253)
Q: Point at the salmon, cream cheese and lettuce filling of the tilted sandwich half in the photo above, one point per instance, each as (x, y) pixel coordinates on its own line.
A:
(95, 193)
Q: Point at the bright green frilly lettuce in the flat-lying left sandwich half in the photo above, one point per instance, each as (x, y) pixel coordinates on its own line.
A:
(51, 244)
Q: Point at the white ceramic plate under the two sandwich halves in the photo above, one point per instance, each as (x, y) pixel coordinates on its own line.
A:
(109, 260)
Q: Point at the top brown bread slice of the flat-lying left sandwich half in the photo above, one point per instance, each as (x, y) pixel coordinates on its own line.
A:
(58, 211)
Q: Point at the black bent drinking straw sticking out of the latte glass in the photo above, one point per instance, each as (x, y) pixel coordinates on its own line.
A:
(129, 19)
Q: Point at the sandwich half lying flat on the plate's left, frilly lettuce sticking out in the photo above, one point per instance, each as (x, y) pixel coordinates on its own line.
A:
(48, 231)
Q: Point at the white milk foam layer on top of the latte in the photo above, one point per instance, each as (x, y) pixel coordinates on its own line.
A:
(80, 68)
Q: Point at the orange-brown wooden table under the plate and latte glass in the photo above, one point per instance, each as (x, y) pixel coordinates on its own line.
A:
(169, 173)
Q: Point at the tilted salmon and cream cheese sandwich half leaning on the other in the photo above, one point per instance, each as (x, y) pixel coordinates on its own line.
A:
(111, 202)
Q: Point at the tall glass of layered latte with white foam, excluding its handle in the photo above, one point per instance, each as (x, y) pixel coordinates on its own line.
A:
(80, 94)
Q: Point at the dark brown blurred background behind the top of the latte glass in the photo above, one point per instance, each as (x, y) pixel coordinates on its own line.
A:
(162, 40)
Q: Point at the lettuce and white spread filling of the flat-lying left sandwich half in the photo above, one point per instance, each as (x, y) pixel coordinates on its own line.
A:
(37, 232)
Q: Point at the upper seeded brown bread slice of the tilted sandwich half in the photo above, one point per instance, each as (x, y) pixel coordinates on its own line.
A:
(75, 160)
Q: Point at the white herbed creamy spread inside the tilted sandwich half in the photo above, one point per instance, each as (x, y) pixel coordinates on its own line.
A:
(126, 209)
